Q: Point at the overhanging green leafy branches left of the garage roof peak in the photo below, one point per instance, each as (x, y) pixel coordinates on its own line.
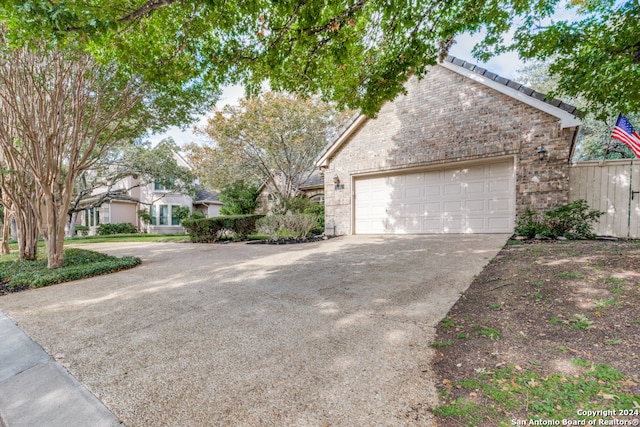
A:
(357, 53)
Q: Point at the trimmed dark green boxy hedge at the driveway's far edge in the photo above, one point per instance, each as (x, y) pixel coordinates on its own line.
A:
(209, 230)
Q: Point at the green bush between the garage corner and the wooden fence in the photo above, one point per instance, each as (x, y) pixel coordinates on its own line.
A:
(573, 221)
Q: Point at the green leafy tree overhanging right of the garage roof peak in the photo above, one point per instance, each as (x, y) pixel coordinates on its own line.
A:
(595, 57)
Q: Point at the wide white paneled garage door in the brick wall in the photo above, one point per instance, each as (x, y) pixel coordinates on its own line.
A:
(469, 199)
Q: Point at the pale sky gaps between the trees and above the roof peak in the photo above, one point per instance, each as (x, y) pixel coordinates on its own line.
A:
(506, 65)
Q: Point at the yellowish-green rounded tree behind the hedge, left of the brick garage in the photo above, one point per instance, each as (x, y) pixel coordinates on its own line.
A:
(273, 140)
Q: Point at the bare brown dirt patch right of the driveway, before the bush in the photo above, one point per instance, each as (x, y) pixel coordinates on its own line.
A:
(539, 306)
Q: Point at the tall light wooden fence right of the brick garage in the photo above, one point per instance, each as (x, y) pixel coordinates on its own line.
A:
(612, 186)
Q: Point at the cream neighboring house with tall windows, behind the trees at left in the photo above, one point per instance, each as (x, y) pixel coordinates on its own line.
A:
(161, 203)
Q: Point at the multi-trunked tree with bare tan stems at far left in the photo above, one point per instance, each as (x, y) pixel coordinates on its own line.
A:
(59, 112)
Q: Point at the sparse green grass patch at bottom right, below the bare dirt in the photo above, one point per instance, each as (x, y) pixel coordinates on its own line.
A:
(502, 392)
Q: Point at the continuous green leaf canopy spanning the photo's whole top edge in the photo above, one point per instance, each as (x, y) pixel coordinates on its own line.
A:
(357, 53)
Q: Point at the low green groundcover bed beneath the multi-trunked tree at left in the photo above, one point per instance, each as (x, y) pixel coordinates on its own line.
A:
(78, 264)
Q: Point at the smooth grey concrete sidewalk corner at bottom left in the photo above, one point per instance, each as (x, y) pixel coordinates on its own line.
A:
(37, 391)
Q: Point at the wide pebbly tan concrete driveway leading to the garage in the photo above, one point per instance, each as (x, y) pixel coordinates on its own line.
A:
(333, 333)
